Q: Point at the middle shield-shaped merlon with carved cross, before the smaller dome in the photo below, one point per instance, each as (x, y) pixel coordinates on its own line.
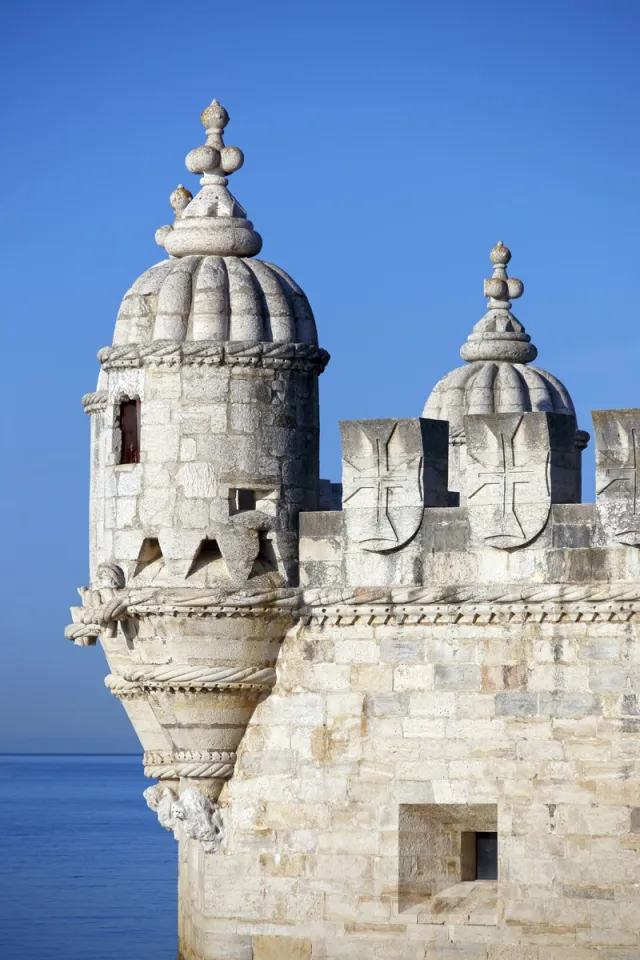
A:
(517, 466)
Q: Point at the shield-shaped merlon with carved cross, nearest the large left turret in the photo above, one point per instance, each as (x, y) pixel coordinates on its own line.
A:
(392, 469)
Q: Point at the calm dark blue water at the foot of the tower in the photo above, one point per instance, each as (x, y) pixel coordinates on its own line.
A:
(86, 872)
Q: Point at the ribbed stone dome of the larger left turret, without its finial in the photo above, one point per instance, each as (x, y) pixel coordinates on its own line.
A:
(215, 298)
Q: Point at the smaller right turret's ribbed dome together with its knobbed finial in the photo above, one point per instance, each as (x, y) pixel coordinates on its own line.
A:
(498, 378)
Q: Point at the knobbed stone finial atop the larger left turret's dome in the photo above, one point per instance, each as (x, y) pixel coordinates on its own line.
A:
(212, 222)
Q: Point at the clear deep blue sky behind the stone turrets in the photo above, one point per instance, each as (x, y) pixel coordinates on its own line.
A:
(388, 146)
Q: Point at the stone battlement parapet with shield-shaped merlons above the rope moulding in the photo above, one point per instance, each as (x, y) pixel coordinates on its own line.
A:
(521, 519)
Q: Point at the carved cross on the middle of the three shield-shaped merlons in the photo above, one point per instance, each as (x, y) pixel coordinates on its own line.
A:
(506, 477)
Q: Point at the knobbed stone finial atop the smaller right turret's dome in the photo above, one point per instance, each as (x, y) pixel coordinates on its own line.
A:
(500, 335)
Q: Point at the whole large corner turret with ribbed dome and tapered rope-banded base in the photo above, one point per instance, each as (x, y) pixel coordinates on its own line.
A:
(205, 431)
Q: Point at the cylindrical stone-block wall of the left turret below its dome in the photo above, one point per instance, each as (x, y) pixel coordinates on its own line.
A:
(197, 440)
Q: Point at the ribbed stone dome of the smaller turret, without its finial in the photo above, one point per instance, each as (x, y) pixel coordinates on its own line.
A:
(495, 387)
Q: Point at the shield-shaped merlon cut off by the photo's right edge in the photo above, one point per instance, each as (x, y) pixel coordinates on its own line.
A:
(617, 435)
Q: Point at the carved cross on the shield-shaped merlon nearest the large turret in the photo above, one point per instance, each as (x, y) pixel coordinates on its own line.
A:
(383, 475)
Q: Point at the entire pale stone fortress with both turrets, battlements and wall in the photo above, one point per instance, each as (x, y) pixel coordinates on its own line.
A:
(404, 726)
